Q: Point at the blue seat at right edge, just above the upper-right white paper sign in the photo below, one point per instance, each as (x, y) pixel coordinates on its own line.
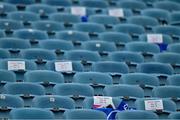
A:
(173, 31)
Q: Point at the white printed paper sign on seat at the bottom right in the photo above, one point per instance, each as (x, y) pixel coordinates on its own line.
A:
(153, 105)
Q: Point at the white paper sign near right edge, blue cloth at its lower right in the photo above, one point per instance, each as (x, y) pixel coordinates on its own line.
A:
(155, 38)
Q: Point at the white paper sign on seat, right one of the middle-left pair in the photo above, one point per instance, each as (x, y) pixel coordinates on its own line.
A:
(63, 66)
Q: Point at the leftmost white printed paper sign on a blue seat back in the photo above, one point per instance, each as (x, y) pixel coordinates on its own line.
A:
(16, 65)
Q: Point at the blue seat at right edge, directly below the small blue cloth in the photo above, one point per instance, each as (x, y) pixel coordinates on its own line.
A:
(170, 58)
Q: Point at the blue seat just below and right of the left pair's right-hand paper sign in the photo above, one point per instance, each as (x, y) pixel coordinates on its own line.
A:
(95, 79)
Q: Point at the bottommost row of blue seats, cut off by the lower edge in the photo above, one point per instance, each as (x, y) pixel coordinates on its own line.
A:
(24, 113)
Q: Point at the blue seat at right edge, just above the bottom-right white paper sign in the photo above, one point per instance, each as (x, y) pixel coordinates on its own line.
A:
(170, 91)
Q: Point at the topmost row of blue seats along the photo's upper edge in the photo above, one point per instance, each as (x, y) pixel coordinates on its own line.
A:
(138, 4)
